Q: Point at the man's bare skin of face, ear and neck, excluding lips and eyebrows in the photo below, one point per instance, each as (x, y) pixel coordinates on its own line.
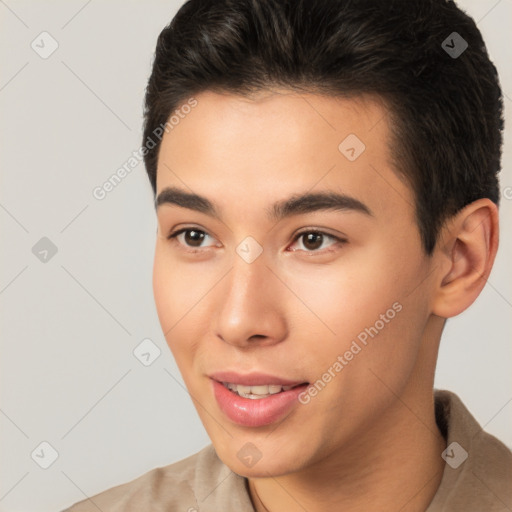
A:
(369, 438)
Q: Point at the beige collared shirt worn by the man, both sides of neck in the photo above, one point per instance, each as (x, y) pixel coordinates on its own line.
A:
(482, 482)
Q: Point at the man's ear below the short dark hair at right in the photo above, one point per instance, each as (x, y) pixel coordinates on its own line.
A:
(465, 252)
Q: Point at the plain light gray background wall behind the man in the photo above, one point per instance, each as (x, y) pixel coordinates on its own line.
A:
(69, 326)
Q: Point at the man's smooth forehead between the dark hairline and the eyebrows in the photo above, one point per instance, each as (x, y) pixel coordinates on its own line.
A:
(230, 147)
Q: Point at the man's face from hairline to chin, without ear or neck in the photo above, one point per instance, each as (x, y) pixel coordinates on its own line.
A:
(297, 278)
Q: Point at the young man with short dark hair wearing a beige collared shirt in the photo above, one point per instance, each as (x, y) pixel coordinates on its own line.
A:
(325, 178)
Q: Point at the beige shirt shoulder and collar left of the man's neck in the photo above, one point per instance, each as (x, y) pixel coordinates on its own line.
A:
(179, 486)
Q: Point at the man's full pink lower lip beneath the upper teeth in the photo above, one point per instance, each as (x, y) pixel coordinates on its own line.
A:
(256, 412)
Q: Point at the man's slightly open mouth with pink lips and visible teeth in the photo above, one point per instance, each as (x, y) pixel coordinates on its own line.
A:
(253, 400)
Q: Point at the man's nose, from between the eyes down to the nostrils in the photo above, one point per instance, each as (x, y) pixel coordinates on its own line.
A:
(251, 306)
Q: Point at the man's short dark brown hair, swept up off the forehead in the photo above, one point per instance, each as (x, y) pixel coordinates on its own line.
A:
(446, 109)
